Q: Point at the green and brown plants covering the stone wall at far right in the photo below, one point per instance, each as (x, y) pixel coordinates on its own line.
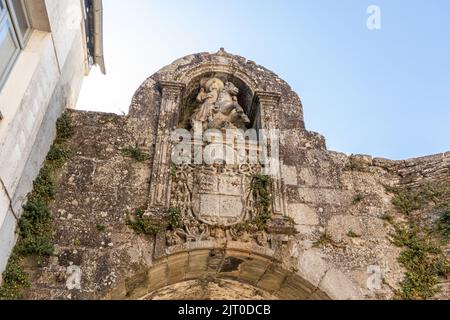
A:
(421, 235)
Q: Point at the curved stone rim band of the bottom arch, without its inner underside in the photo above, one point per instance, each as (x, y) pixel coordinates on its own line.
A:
(242, 265)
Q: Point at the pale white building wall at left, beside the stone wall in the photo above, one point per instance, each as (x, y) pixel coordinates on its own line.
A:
(45, 80)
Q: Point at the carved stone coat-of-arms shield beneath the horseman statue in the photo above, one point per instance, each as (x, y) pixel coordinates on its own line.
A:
(216, 195)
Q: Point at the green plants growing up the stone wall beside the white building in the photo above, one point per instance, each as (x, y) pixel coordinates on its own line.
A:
(36, 223)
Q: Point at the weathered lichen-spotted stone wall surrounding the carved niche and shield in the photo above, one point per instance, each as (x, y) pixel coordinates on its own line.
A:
(337, 202)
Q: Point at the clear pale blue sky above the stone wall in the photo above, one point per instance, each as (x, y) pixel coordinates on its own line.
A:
(381, 92)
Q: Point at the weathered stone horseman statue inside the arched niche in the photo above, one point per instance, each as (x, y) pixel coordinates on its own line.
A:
(219, 107)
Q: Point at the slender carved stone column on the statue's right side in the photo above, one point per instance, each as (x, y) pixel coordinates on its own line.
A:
(268, 103)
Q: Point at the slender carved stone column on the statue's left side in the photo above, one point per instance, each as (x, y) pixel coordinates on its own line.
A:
(168, 120)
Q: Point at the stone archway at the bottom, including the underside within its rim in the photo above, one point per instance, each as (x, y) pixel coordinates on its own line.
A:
(201, 271)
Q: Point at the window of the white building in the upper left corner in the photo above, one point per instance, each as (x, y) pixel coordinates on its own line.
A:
(14, 32)
